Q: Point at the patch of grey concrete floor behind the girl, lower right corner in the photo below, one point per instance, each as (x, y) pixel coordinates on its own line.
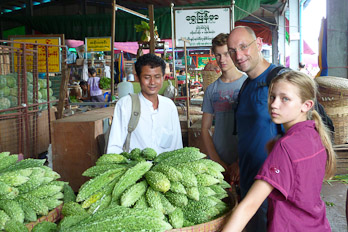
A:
(336, 214)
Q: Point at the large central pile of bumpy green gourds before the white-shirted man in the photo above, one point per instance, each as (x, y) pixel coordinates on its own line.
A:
(140, 191)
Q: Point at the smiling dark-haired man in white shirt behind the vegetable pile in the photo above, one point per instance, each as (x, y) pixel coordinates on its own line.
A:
(159, 125)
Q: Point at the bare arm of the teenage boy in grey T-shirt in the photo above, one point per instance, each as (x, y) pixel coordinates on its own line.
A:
(207, 120)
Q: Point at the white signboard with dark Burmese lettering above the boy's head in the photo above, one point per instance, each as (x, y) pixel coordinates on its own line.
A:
(200, 26)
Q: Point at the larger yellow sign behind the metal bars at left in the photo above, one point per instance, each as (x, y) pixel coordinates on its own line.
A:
(53, 57)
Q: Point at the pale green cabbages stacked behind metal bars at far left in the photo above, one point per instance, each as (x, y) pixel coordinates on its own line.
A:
(9, 91)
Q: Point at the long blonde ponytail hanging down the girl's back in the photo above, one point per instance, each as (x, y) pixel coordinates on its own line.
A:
(326, 140)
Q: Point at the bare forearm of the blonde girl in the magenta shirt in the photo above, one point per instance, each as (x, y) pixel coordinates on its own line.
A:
(248, 206)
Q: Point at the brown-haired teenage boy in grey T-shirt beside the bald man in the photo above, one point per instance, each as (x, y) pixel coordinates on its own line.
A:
(219, 102)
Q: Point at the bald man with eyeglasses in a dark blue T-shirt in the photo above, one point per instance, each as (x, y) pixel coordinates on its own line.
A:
(254, 125)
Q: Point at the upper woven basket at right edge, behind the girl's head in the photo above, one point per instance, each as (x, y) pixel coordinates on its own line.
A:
(333, 91)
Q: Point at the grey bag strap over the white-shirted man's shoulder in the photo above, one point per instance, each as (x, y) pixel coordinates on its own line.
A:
(133, 121)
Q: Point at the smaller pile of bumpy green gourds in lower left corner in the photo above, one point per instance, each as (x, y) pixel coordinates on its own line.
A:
(28, 190)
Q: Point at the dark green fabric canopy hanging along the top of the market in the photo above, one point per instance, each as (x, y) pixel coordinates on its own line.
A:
(79, 26)
